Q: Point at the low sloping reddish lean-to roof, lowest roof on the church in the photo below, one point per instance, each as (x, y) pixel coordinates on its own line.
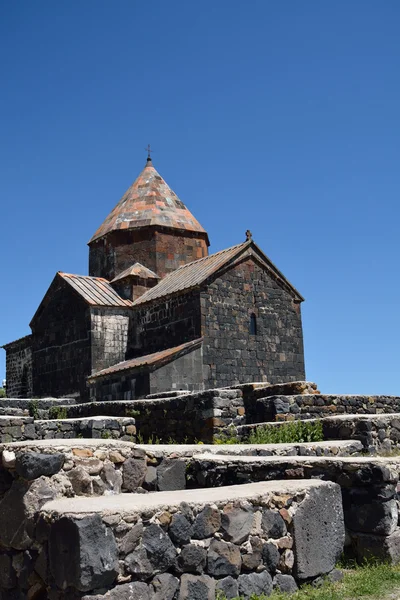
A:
(157, 359)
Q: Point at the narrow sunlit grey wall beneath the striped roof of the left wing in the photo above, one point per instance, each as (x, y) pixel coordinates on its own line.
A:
(109, 334)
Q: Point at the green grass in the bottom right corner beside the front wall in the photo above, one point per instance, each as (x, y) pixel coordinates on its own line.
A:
(370, 581)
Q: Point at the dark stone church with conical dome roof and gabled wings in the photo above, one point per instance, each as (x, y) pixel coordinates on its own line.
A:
(157, 312)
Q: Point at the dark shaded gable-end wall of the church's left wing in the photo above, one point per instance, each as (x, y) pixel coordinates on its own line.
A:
(61, 345)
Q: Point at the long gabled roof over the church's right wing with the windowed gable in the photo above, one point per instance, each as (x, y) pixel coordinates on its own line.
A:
(195, 273)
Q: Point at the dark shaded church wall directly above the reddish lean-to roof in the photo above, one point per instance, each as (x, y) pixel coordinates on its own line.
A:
(164, 324)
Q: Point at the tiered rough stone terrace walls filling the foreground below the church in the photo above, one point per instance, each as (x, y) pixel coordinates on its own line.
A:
(87, 512)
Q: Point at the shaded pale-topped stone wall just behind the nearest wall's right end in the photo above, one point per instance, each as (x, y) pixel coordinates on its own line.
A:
(369, 490)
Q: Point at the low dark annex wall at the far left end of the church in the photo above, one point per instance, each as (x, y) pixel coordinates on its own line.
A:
(19, 368)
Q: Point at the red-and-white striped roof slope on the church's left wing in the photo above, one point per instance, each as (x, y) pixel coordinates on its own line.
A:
(94, 290)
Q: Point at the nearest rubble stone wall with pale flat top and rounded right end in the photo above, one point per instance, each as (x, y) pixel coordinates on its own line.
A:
(240, 540)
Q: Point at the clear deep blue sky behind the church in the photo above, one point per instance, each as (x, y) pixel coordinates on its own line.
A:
(277, 116)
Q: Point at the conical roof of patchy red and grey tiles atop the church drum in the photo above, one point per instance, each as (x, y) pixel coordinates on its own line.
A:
(149, 201)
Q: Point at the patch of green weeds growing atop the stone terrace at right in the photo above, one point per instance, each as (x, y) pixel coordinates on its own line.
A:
(289, 432)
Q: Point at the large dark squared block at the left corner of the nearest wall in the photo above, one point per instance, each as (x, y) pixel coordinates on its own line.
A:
(83, 553)
